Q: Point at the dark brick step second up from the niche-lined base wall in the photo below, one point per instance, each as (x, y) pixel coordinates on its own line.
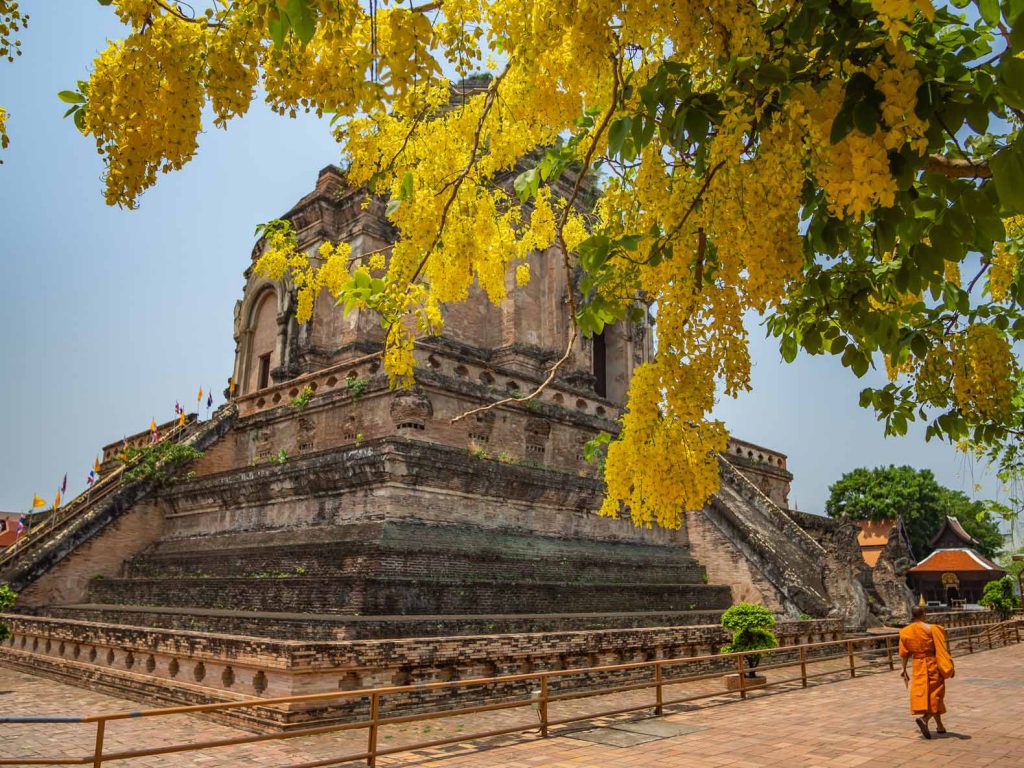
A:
(389, 596)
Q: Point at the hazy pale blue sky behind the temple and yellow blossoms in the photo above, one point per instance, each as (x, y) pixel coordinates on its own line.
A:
(111, 316)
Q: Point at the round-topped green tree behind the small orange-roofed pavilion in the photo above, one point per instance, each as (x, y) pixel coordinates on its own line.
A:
(887, 493)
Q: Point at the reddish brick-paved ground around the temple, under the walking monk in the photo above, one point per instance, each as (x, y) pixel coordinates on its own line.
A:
(843, 724)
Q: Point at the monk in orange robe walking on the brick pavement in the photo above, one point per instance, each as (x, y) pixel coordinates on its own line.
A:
(926, 644)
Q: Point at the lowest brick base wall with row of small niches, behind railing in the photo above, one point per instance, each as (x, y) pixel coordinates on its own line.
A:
(167, 666)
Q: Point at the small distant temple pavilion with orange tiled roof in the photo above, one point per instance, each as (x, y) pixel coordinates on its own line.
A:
(955, 573)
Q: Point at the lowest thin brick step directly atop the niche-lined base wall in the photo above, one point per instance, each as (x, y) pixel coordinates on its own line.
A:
(326, 627)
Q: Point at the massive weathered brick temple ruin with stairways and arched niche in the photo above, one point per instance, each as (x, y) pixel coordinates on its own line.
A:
(392, 546)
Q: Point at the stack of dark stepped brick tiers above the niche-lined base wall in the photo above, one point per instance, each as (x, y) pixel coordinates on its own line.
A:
(401, 580)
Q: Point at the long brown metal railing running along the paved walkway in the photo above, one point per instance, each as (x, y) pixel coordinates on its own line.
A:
(875, 653)
